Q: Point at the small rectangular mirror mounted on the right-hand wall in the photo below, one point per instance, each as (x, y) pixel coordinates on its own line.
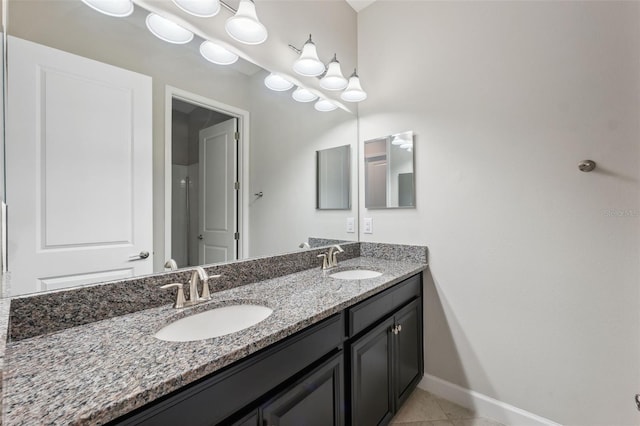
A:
(389, 168)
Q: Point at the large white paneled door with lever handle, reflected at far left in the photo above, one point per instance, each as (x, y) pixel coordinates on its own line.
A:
(78, 164)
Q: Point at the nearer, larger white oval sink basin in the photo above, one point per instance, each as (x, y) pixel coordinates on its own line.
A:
(213, 323)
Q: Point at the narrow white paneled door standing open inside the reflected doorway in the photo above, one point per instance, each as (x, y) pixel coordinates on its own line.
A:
(218, 192)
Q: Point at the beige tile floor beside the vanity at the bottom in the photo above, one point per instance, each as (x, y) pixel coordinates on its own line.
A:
(425, 409)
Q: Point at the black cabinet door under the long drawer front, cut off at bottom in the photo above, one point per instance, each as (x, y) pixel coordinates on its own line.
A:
(315, 400)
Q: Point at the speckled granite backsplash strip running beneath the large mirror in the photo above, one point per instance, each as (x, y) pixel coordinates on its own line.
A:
(43, 313)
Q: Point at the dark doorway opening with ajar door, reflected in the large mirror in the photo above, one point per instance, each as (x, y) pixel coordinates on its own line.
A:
(204, 193)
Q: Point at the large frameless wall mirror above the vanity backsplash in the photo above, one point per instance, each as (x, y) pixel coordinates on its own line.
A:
(230, 164)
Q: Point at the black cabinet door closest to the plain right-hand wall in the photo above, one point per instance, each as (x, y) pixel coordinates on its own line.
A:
(408, 359)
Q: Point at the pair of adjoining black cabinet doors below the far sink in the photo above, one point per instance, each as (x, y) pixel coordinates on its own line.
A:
(386, 364)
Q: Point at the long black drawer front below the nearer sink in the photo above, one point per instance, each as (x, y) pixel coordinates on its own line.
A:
(227, 392)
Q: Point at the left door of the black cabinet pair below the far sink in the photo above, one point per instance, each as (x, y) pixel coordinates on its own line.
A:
(371, 377)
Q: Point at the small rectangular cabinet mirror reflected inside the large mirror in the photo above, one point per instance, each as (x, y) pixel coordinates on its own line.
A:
(333, 187)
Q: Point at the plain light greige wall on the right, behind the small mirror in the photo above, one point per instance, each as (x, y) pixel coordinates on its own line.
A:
(533, 298)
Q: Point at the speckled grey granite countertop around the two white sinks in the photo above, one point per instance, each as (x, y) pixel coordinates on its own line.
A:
(97, 372)
